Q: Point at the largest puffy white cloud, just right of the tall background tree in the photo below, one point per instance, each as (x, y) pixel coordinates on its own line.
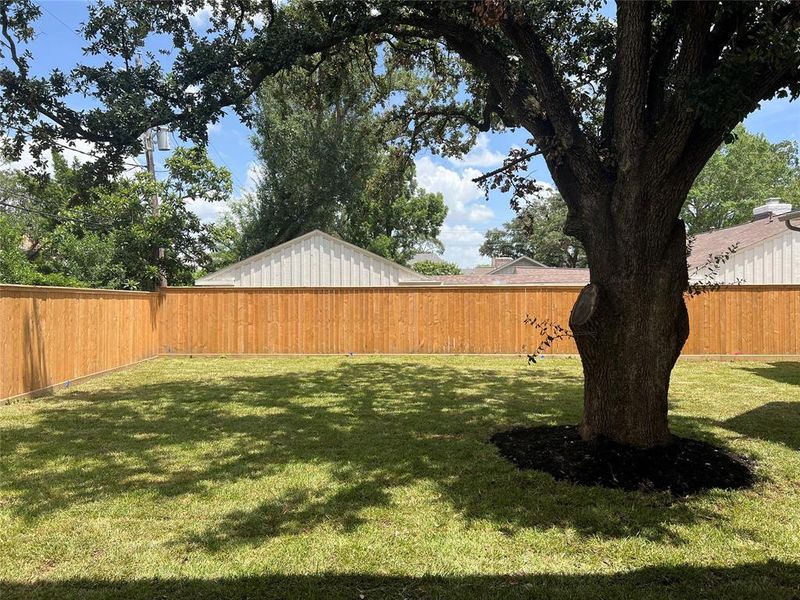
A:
(465, 201)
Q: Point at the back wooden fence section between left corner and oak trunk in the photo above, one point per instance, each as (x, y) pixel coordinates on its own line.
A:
(393, 320)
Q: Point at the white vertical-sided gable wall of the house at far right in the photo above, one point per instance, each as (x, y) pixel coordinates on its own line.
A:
(775, 260)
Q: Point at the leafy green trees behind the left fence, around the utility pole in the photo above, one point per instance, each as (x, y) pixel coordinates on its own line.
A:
(102, 235)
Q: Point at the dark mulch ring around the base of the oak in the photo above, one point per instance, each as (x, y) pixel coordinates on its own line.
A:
(683, 468)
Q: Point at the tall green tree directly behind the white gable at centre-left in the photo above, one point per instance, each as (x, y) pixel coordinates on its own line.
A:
(327, 162)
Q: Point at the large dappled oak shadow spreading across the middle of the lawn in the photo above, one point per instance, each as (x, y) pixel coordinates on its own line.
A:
(374, 427)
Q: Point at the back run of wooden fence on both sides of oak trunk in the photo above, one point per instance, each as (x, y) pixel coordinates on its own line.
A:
(753, 320)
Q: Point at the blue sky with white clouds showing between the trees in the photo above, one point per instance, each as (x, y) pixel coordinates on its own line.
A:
(470, 215)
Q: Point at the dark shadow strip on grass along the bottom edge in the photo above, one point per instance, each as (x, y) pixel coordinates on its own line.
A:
(774, 580)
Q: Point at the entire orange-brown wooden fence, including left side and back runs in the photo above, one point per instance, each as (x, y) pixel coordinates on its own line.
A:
(53, 335)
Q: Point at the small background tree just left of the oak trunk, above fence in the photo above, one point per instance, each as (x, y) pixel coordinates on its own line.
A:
(538, 232)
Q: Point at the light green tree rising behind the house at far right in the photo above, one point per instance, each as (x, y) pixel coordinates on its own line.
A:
(741, 175)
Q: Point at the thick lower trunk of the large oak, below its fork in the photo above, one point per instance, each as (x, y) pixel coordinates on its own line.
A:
(630, 325)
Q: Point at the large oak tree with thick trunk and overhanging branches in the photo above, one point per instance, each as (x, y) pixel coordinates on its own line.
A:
(625, 112)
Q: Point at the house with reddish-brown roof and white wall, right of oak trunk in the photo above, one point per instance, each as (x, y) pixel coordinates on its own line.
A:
(768, 252)
